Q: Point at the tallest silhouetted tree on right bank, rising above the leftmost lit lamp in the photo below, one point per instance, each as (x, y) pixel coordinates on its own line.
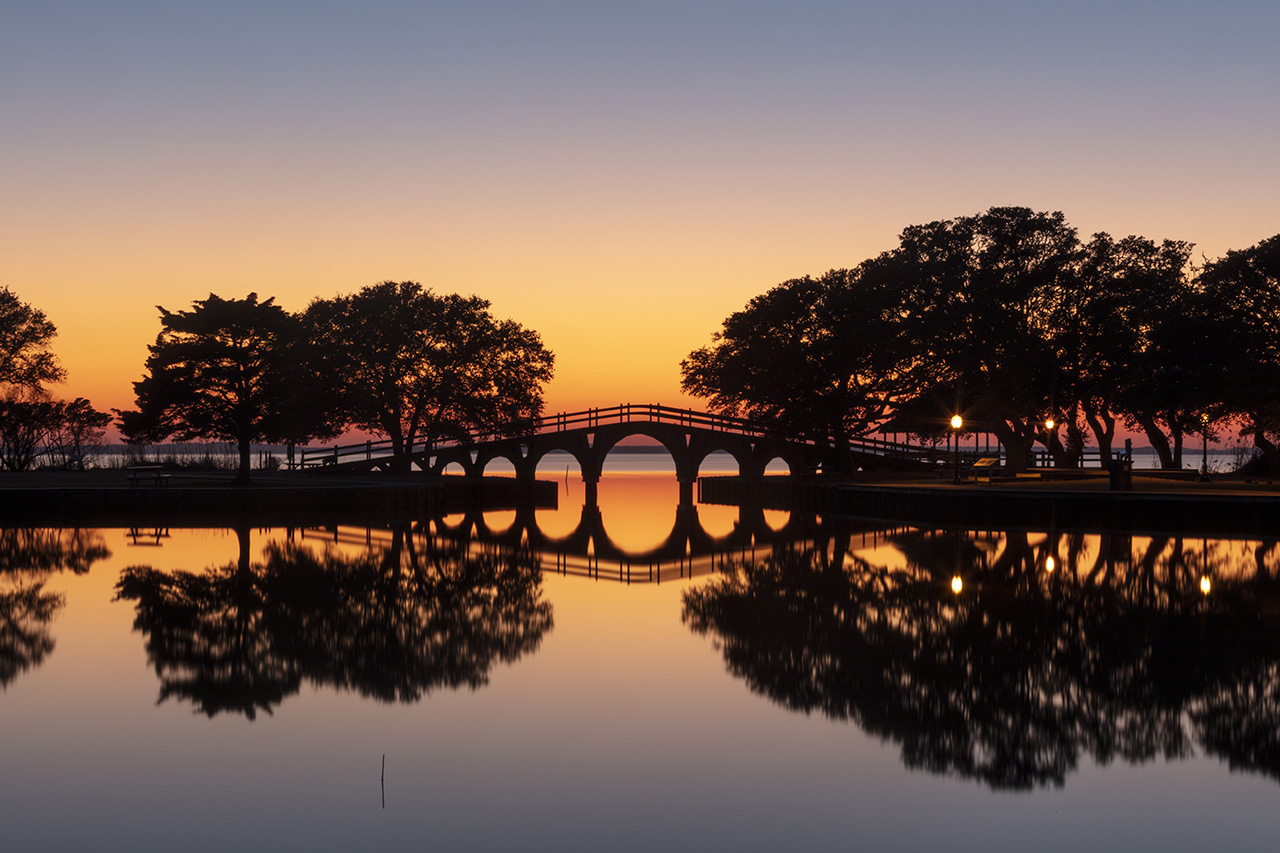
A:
(979, 304)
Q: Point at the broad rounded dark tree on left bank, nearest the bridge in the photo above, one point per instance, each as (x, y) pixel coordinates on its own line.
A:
(420, 367)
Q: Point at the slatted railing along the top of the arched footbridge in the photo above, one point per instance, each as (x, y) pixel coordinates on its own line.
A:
(373, 451)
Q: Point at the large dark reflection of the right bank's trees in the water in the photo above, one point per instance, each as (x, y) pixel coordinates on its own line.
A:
(1012, 681)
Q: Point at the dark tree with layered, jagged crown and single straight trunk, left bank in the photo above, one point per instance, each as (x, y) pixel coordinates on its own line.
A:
(221, 371)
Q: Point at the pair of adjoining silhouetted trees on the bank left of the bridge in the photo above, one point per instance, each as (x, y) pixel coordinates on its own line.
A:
(395, 359)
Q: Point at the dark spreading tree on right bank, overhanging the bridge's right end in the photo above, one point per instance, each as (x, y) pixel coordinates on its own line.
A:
(812, 358)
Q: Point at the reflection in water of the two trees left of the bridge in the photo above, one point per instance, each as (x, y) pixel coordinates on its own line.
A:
(392, 624)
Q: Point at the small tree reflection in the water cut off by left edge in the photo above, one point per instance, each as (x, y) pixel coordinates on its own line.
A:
(29, 556)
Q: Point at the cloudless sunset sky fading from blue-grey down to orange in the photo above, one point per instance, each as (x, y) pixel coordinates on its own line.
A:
(618, 176)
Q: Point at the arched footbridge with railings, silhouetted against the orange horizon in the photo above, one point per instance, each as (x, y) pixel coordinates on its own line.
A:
(588, 436)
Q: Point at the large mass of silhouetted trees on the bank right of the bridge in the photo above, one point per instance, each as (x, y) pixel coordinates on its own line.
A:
(1009, 320)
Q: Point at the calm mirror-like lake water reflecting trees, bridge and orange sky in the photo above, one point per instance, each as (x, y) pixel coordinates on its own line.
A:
(711, 681)
